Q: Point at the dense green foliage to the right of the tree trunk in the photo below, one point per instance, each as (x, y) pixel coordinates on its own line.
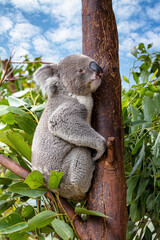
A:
(141, 116)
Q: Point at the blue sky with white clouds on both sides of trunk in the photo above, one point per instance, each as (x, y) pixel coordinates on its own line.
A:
(52, 28)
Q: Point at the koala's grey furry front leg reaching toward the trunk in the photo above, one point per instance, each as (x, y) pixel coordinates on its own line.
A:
(69, 123)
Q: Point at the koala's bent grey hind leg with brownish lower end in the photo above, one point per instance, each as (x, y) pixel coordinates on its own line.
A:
(77, 179)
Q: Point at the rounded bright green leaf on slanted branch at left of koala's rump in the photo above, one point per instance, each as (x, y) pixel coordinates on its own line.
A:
(34, 179)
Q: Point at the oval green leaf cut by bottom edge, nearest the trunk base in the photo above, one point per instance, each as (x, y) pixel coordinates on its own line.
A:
(63, 229)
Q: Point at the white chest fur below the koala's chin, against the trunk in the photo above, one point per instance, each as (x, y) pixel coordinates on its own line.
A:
(87, 101)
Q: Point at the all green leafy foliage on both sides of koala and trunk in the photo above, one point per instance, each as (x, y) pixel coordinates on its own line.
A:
(20, 216)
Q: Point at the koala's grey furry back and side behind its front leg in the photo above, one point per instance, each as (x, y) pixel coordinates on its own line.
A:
(48, 151)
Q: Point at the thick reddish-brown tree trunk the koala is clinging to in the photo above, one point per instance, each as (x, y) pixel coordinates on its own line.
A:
(108, 192)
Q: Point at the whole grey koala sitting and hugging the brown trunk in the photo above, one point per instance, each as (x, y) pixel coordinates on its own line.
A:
(64, 140)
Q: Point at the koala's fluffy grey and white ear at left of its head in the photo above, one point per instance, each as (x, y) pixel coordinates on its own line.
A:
(47, 78)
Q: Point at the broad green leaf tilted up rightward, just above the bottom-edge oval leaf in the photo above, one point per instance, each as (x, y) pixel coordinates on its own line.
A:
(42, 219)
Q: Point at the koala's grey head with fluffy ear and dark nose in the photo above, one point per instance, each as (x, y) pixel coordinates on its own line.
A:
(77, 74)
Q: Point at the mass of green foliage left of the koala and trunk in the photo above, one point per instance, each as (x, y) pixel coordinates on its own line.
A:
(25, 212)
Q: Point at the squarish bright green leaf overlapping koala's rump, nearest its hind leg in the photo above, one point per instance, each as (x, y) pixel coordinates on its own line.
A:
(55, 179)
